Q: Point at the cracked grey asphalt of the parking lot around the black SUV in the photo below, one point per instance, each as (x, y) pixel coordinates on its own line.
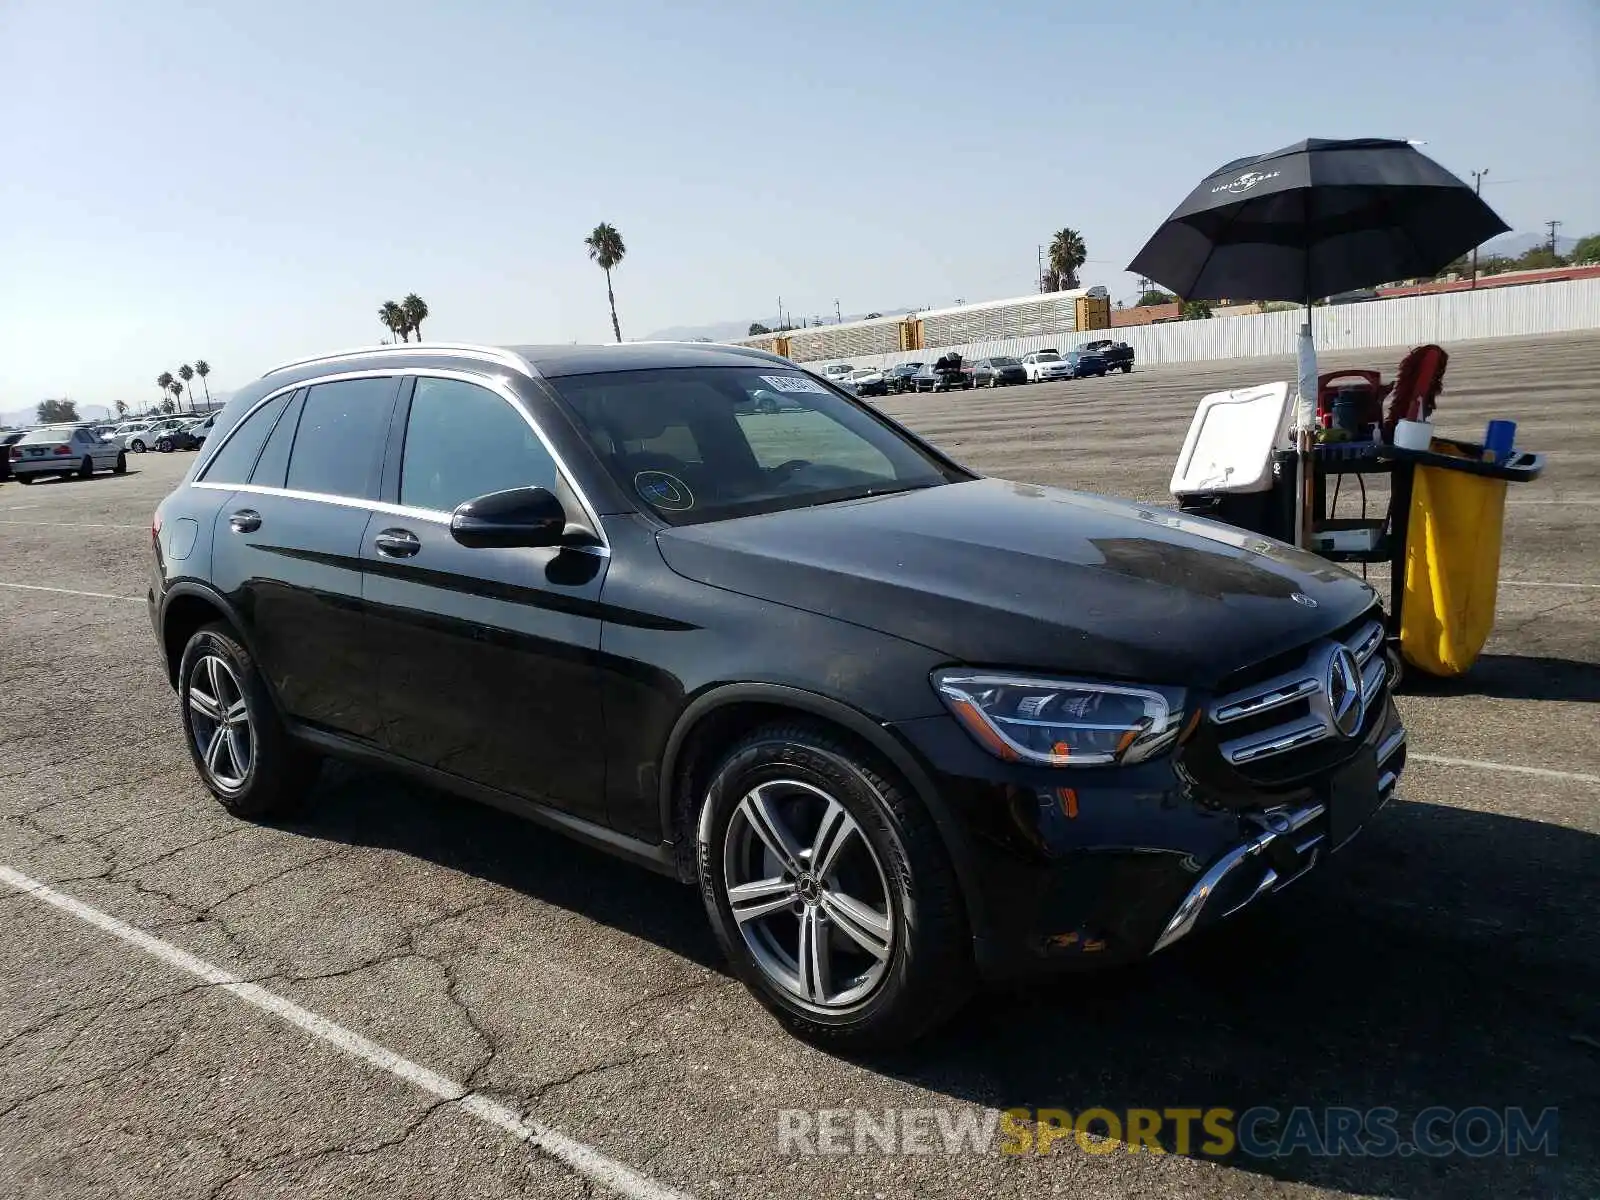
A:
(1450, 958)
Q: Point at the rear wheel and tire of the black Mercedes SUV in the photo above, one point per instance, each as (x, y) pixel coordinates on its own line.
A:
(234, 734)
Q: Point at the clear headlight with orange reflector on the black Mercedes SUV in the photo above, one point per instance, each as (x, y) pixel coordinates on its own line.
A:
(1063, 722)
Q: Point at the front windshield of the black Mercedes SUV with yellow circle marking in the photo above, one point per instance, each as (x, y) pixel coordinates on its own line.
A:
(716, 442)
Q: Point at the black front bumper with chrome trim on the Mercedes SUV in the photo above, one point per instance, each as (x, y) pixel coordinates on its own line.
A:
(1079, 870)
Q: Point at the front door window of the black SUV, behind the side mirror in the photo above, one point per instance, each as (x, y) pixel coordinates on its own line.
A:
(462, 442)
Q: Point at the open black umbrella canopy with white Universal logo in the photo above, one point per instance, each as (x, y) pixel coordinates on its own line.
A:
(1314, 220)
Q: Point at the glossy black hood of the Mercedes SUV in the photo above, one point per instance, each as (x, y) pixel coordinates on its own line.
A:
(1015, 575)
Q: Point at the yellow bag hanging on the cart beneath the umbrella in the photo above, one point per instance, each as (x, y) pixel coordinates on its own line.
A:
(1452, 569)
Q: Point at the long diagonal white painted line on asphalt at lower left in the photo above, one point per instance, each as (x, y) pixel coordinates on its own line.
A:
(580, 1158)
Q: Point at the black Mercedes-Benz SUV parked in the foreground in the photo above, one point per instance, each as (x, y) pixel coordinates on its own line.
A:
(905, 727)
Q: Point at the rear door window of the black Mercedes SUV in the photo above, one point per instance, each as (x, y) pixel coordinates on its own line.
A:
(340, 436)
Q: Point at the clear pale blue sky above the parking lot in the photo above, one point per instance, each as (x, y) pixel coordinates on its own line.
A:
(247, 183)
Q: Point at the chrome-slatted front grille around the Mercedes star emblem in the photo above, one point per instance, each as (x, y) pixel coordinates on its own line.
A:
(1294, 710)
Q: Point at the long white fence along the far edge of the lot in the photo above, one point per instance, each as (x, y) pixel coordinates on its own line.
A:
(1409, 321)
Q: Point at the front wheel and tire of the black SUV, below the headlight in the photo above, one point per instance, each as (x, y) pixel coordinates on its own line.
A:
(850, 926)
